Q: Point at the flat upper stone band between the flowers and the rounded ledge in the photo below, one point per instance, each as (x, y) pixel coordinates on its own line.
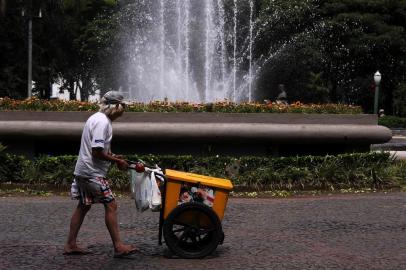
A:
(270, 118)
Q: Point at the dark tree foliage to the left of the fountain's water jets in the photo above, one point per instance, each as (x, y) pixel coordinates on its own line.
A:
(68, 41)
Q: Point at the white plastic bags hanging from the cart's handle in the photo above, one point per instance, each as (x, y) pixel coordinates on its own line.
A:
(144, 188)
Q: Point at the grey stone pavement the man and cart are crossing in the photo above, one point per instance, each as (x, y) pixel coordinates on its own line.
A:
(324, 232)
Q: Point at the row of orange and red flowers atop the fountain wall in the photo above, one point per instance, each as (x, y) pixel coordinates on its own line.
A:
(36, 104)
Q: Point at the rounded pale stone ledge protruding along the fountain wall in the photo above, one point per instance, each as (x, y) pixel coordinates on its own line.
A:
(206, 131)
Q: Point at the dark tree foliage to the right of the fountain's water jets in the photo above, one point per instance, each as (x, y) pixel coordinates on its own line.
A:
(345, 40)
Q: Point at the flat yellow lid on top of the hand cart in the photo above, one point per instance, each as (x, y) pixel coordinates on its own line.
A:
(201, 179)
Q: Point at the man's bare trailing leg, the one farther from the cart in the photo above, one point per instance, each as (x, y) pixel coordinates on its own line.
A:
(78, 216)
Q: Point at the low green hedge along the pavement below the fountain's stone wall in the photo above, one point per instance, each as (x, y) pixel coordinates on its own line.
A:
(358, 170)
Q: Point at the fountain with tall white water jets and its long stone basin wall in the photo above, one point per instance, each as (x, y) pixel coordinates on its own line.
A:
(201, 51)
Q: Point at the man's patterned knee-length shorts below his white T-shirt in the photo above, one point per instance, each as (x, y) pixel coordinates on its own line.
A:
(89, 191)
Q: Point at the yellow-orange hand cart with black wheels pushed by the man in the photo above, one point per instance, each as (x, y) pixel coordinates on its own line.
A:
(192, 209)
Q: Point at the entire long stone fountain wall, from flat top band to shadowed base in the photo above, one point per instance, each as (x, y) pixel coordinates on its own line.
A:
(197, 133)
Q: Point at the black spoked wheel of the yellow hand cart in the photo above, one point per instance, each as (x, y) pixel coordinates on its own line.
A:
(192, 230)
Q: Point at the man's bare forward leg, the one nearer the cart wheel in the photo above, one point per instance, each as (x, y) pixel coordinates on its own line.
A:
(112, 226)
